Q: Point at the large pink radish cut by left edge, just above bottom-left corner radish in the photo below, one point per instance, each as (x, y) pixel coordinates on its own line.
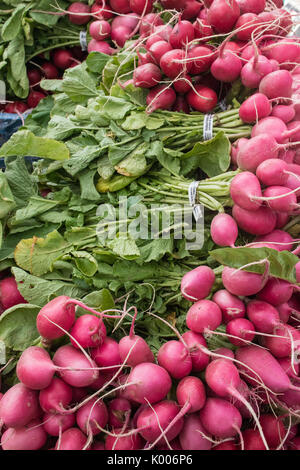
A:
(18, 406)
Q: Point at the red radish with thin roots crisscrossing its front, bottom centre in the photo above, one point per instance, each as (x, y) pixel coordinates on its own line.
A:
(153, 421)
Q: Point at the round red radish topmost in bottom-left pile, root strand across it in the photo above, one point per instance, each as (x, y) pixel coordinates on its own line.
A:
(57, 311)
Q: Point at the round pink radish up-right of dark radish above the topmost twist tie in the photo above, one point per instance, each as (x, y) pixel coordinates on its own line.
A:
(227, 67)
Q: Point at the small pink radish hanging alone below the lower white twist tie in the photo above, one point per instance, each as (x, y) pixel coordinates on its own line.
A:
(224, 230)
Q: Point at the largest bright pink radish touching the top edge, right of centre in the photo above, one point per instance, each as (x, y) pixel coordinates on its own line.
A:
(223, 14)
